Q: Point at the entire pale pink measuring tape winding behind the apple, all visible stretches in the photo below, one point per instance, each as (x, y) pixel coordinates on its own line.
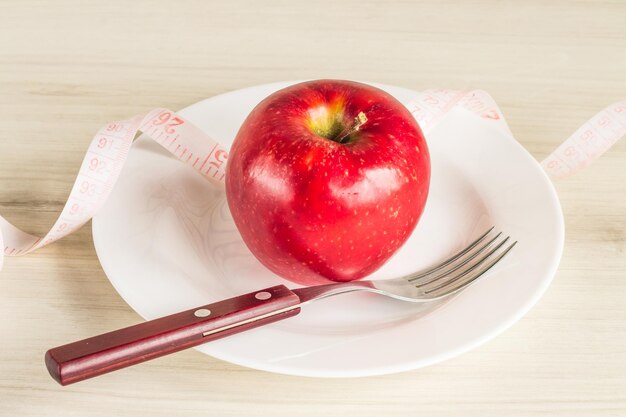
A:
(109, 149)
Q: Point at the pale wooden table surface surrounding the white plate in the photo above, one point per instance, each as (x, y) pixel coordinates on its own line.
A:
(68, 67)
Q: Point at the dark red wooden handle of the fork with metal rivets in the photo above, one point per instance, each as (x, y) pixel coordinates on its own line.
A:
(107, 352)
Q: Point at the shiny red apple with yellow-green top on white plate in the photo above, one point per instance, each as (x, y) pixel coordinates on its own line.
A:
(327, 179)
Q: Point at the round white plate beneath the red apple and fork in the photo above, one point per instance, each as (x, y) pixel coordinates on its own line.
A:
(167, 243)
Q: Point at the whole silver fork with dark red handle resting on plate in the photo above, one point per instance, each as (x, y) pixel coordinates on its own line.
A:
(107, 352)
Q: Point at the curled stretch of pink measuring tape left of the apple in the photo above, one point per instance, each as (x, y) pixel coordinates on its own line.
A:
(103, 163)
